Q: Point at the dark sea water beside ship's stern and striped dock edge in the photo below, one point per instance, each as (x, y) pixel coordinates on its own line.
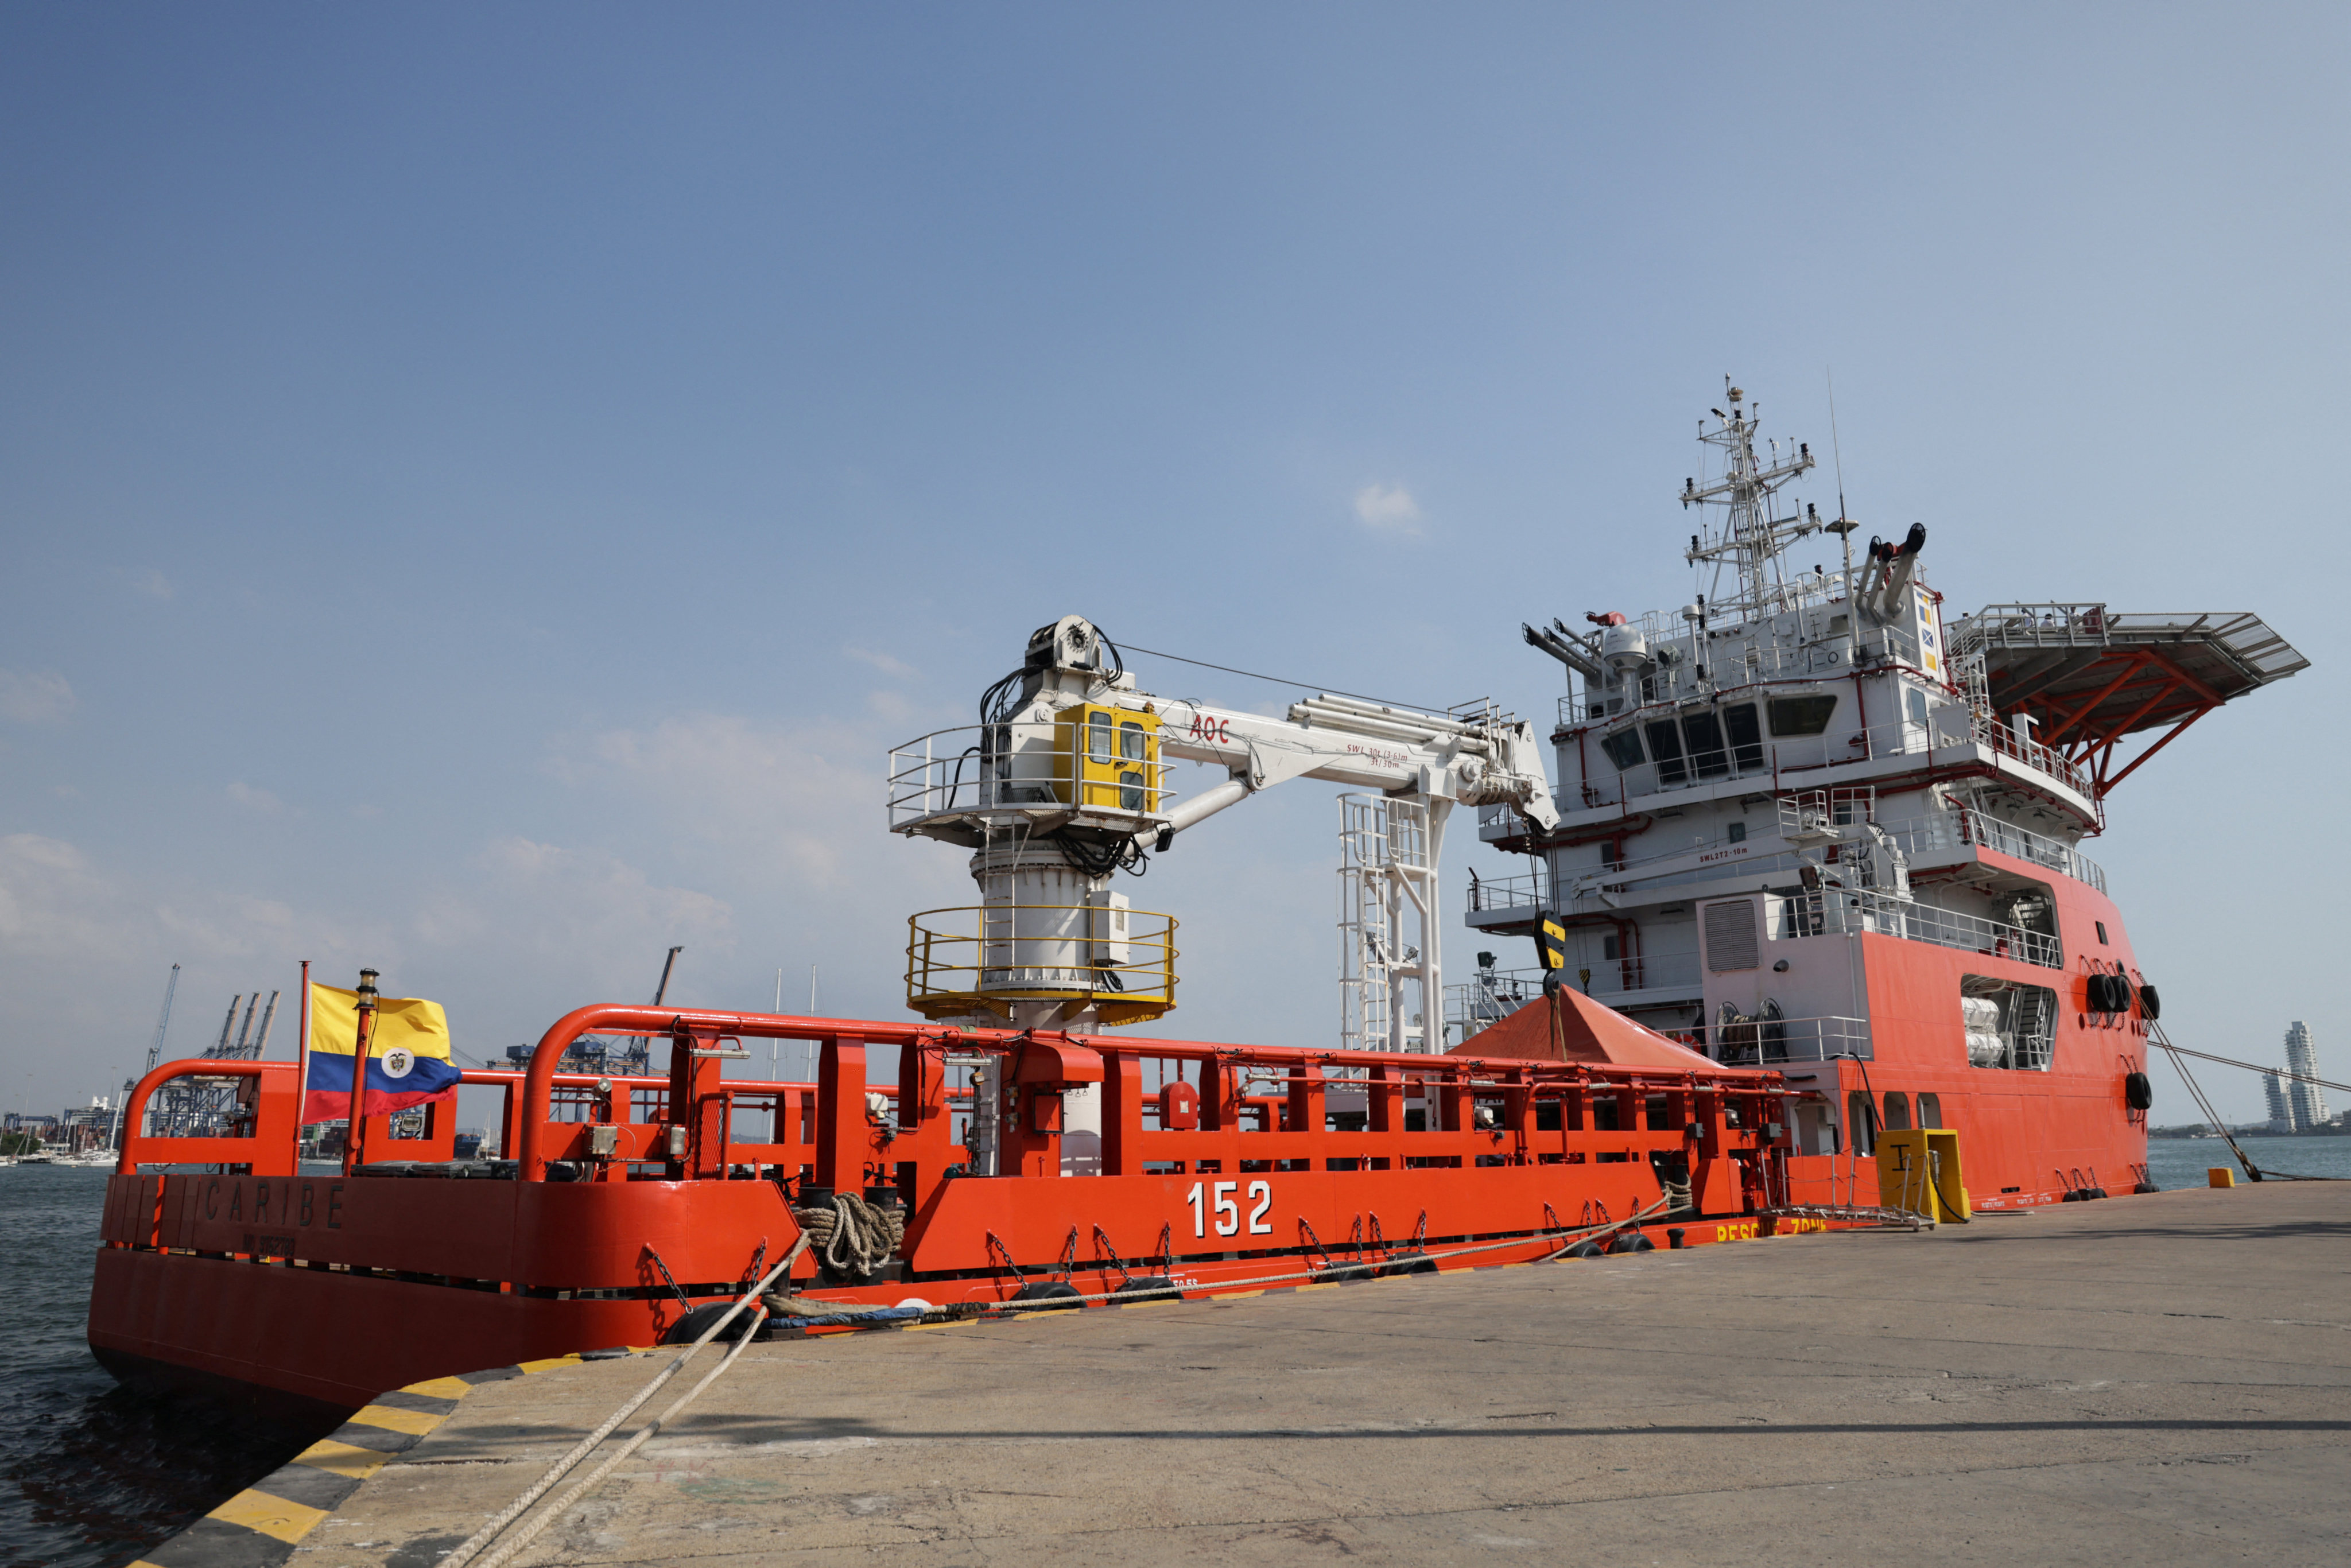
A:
(91, 1473)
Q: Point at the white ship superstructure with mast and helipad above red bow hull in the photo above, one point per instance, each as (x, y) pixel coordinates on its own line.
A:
(1807, 822)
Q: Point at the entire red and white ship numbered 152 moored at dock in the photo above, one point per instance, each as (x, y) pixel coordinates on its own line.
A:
(1811, 923)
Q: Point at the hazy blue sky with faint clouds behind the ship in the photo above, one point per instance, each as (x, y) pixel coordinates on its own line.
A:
(485, 485)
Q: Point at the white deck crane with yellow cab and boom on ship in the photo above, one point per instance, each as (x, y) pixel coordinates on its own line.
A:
(1066, 782)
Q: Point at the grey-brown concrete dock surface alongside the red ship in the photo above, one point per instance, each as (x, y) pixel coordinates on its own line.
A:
(2136, 1381)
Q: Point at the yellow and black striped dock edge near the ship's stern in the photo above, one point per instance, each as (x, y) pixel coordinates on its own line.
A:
(267, 1522)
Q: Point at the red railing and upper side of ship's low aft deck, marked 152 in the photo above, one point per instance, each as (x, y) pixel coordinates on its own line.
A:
(685, 1165)
